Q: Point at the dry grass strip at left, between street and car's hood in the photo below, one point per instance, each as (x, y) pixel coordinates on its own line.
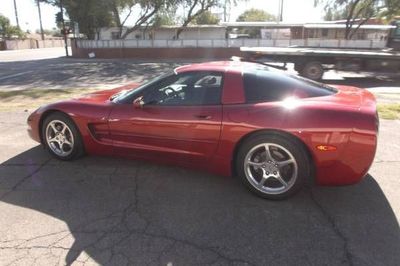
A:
(31, 99)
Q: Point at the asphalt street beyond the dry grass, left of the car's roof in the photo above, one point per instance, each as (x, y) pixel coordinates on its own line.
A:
(48, 68)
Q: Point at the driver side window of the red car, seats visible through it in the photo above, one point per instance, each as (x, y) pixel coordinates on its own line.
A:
(191, 88)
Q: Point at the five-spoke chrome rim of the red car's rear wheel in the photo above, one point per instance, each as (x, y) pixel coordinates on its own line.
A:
(270, 168)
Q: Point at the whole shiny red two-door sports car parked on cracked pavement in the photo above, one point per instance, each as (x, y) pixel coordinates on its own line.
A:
(272, 130)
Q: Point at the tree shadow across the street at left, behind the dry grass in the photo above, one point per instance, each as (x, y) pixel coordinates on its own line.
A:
(77, 73)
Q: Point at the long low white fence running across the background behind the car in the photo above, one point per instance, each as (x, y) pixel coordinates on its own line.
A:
(226, 43)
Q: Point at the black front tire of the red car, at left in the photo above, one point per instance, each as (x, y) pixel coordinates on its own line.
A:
(75, 150)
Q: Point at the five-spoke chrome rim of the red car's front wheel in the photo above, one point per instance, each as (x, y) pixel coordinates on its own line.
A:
(59, 138)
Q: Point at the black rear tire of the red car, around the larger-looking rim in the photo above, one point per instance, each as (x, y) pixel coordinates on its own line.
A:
(279, 145)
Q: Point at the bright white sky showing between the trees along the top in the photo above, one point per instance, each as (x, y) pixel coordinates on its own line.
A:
(293, 11)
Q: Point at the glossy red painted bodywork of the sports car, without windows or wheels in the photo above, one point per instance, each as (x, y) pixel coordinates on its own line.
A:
(180, 135)
